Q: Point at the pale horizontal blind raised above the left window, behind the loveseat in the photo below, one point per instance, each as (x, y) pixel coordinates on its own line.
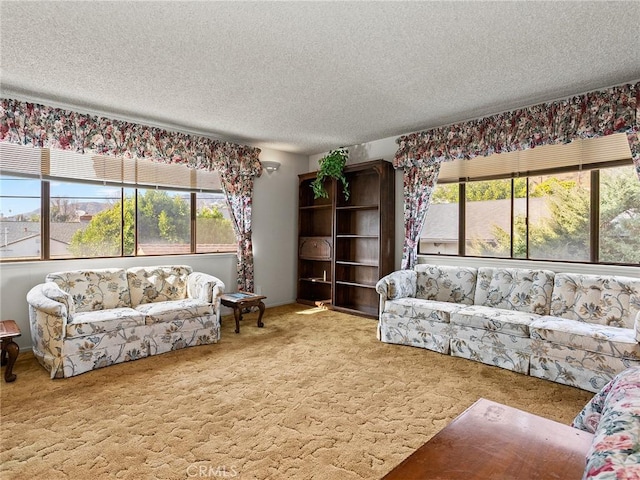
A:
(67, 165)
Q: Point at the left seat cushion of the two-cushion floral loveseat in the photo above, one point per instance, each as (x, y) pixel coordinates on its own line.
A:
(101, 321)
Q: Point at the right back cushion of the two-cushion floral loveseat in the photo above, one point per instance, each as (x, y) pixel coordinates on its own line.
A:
(158, 284)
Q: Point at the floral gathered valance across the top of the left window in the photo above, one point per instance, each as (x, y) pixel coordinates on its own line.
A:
(41, 126)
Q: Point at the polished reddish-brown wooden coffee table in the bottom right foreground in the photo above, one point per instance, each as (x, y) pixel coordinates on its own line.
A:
(490, 441)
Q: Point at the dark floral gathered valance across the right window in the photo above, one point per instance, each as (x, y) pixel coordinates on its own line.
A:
(595, 114)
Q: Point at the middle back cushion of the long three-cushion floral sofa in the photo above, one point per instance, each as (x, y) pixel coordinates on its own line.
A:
(517, 289)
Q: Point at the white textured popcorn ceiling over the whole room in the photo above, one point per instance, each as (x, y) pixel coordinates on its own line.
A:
(307, 77)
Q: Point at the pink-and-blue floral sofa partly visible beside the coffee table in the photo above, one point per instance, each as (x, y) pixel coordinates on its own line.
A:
(613, 416)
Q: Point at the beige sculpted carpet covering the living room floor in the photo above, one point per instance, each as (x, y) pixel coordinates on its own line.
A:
(311, 395)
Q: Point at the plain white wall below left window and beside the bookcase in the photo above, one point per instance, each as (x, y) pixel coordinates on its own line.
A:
(275, 224)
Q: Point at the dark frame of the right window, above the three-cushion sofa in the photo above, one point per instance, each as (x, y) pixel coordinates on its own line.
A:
(594, 213)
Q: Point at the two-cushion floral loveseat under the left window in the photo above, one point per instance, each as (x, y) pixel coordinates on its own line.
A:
(86, 319)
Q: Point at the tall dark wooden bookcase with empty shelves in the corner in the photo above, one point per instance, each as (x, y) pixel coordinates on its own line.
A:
(345, 246)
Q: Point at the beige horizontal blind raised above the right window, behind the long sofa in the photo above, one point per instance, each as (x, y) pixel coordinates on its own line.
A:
(581, 152)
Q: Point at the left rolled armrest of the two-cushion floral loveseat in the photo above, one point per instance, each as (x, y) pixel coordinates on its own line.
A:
(49, 312)
